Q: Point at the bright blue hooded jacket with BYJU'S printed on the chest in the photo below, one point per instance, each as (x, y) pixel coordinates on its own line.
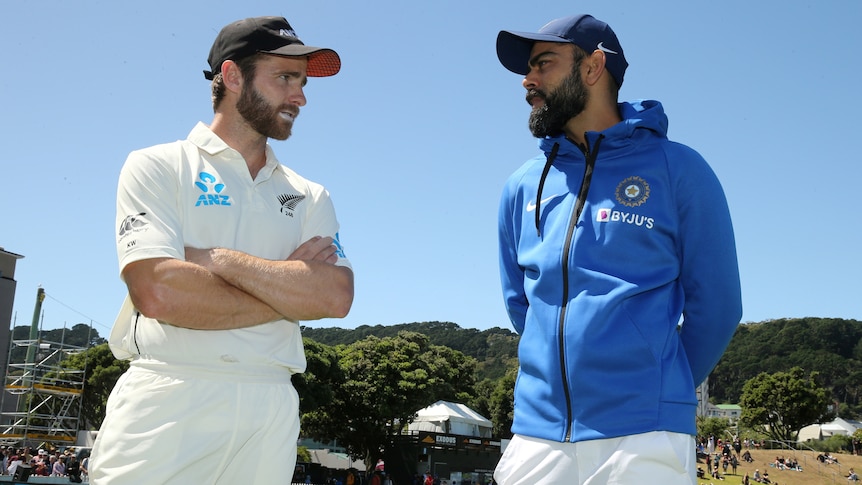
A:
(619, 272)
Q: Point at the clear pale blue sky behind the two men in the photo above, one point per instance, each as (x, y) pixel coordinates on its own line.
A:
(416, 135)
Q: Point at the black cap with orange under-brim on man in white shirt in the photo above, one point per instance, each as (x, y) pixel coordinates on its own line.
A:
(268, 35)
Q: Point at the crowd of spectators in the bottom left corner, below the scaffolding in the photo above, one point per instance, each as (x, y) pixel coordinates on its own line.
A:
(44, 463)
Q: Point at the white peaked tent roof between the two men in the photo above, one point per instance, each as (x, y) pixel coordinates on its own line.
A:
(451, 418)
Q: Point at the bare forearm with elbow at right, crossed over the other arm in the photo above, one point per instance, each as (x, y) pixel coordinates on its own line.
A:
(298, 289)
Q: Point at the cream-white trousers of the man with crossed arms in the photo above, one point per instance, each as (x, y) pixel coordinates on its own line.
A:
(175, 428)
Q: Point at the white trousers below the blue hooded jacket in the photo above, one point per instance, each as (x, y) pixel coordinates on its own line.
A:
(656, 457)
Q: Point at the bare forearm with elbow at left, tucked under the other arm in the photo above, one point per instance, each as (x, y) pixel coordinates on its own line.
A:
(187, 295)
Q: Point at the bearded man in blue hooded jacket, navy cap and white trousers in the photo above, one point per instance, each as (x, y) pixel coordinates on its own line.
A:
(619, 272)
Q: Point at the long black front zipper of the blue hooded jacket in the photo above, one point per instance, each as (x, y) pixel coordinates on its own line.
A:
(590, 156)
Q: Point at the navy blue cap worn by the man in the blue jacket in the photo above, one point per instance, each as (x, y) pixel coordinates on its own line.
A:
(586, 32)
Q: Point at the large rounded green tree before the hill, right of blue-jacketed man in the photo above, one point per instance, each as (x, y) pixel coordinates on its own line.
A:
(780, 404)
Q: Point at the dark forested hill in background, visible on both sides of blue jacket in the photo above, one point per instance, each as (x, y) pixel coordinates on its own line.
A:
(830, 346)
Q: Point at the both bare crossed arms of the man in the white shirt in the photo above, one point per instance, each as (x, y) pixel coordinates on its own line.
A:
(219, 289)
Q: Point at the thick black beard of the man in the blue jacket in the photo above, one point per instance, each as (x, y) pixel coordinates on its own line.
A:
(564, 103)
